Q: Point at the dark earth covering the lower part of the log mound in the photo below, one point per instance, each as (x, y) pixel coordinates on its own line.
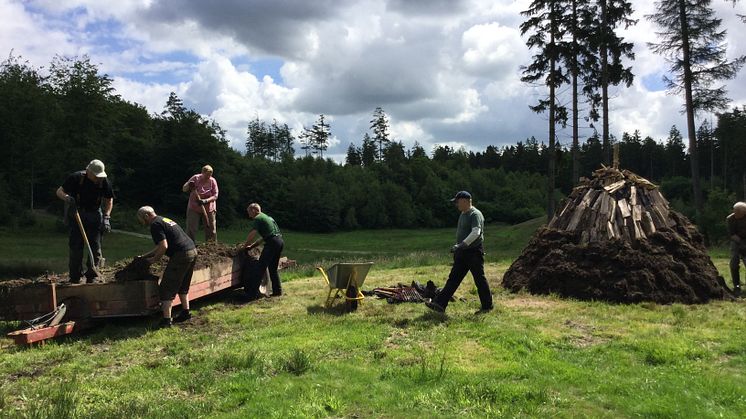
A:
(671, 266)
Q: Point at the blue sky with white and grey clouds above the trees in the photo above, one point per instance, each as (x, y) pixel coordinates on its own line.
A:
(446, 72)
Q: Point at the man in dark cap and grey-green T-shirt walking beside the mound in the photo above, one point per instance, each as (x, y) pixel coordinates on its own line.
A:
(468, 255)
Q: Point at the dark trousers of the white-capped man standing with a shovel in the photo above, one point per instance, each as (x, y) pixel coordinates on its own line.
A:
(92, 223)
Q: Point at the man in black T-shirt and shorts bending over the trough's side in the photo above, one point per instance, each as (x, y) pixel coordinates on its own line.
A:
(172, 241)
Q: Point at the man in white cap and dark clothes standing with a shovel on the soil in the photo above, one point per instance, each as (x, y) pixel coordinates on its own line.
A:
(85, 191)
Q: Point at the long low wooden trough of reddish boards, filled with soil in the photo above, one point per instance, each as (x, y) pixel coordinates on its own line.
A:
(85, 302)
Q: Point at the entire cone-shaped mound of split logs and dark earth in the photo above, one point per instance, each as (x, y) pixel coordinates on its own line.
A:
(662, 260)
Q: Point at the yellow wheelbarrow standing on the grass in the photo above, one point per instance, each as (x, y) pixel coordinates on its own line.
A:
(345, 280)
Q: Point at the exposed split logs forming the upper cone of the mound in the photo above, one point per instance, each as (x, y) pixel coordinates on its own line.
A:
(614, 204)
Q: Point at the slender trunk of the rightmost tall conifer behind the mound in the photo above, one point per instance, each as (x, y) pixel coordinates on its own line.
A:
(693, 154)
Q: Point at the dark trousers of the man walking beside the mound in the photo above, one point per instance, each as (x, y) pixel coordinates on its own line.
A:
(464, 261)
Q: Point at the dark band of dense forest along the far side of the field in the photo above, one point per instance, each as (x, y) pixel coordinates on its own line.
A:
(54, 124)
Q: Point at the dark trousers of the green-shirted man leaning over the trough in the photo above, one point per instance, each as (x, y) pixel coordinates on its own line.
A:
(252, 271)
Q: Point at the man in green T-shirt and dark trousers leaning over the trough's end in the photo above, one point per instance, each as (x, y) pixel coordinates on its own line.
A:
(266, 227)
